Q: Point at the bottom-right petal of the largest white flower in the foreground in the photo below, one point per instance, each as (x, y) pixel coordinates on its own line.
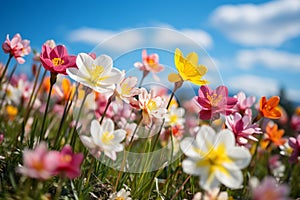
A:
(233, 179)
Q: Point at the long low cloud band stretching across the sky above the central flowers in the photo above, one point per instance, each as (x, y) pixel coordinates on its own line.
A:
(163, 36)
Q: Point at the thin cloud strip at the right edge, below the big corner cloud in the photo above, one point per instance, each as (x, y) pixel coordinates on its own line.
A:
(272, 59)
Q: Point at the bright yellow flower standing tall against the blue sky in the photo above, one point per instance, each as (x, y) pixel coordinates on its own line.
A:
(188, 69)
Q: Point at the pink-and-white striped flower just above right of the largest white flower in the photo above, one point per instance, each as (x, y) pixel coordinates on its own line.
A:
(242, 128)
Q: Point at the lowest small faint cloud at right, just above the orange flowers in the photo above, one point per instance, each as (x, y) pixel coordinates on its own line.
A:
(254, 85)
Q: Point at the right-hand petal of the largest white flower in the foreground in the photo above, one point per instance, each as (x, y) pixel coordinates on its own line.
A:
(240, 156)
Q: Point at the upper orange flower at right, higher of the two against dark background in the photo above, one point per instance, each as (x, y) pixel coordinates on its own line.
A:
(269, 108)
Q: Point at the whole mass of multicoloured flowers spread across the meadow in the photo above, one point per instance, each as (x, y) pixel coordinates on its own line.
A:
(243, 127)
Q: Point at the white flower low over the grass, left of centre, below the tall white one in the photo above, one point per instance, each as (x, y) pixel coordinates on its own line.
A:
(104, 138)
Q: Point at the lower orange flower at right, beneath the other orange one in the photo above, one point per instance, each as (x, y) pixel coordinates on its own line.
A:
(273, 135)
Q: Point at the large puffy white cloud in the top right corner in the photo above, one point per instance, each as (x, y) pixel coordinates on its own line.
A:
(269, 24)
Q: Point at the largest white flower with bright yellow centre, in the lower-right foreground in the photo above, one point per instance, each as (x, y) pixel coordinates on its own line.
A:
(215, 158)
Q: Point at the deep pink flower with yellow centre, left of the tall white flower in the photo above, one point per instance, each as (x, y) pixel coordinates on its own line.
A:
(56, 59)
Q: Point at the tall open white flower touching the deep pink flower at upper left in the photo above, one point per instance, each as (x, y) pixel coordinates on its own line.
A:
(97, 74)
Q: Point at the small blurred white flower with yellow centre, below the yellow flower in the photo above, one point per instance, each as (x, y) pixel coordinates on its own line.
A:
(175, 116)
